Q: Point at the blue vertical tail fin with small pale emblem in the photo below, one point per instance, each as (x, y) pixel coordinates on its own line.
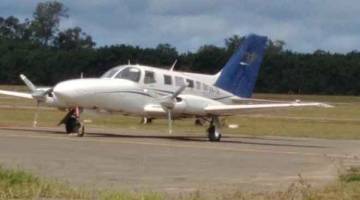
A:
(240, 73)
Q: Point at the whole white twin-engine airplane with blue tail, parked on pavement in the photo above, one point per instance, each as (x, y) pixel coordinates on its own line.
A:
(149, 92)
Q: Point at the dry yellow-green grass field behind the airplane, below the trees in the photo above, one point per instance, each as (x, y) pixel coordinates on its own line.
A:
(340, 122)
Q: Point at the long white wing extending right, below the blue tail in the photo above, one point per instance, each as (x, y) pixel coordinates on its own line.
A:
(239, 109)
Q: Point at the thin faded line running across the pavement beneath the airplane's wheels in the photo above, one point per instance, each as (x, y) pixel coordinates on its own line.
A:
(339, 156)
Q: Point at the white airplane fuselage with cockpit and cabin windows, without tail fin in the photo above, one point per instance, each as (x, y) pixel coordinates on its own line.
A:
(129, 89)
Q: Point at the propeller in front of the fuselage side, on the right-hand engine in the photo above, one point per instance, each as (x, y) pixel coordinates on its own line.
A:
(168, 103)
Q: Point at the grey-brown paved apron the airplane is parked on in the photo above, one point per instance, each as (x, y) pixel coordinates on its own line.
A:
(182, 162)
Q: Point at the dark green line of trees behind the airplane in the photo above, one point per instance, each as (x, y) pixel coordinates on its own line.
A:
(47, 55)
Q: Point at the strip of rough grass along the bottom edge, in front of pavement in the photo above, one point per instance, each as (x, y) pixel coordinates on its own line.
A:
(20, 184)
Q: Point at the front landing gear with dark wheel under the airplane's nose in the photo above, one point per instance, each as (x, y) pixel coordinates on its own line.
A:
(72, 123)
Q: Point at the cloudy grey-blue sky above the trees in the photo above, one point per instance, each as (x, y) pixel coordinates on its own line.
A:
(304, 25)
